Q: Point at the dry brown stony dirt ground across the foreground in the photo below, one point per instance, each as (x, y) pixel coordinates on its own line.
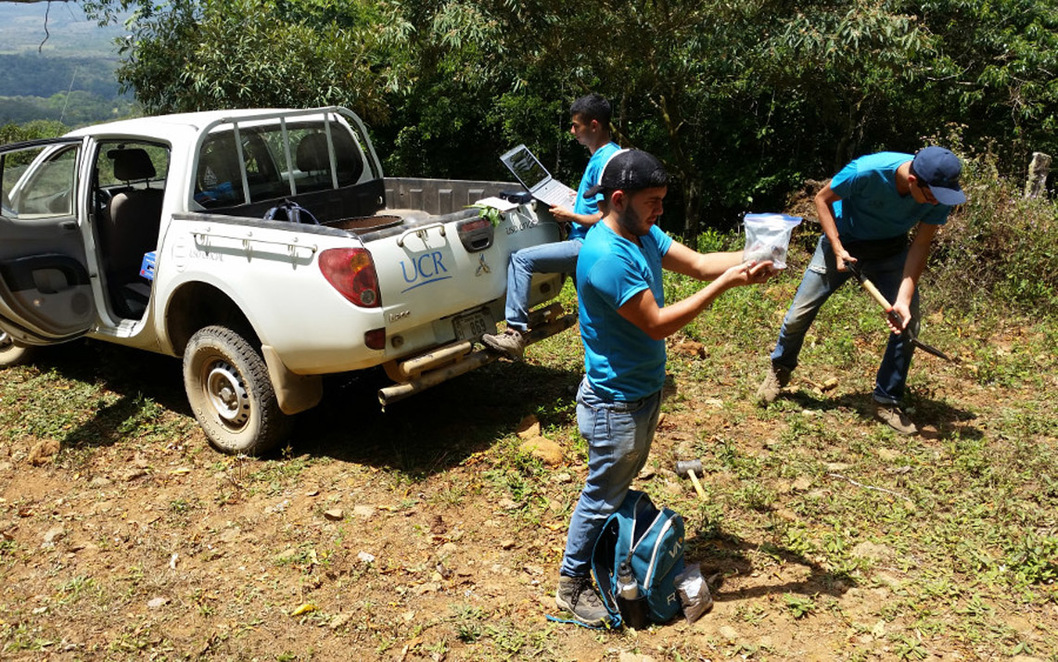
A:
(428, 532)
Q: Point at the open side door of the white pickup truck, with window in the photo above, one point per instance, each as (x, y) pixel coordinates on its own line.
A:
(46, 293)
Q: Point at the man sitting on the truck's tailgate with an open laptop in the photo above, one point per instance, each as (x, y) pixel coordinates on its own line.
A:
(591, 127)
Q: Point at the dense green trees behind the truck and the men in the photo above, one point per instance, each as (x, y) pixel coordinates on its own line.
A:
(743, 101)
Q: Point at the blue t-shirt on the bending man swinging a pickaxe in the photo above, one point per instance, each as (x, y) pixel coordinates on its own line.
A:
(870, 207)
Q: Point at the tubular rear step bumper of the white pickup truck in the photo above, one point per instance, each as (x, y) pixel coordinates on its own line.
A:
(441, 365)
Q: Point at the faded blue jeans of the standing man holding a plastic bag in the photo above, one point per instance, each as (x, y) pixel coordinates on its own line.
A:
(619, 436)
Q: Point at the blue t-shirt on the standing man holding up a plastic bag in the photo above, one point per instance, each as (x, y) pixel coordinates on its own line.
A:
(623, 363)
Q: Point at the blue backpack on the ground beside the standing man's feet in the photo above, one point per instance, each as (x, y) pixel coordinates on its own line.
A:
(652, 542)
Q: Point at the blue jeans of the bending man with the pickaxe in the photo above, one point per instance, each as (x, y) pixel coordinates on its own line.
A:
(820, 281)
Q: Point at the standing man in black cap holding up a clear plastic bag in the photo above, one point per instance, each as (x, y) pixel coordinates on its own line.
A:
(624, 325)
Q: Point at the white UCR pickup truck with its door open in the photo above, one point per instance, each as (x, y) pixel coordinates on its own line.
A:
(151, 233)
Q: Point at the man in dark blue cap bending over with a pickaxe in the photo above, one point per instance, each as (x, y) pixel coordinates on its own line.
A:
(867, 212)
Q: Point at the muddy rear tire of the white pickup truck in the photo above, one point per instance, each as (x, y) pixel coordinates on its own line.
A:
(231, 395)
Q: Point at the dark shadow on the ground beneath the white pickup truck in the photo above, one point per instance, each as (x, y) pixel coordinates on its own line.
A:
(423, 435)
